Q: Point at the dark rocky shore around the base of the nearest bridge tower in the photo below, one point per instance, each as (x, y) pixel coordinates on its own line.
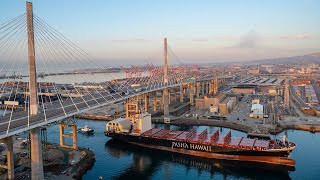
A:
(62, 163)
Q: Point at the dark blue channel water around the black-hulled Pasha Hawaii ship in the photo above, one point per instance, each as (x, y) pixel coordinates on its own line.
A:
(115, 160)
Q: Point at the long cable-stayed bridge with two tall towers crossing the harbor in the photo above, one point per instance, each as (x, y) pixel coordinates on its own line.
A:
(39, 65)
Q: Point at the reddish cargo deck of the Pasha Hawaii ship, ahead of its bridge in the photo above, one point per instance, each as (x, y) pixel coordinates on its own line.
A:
(206, 138)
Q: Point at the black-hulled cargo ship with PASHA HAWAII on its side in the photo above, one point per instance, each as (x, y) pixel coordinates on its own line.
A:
(139, 131)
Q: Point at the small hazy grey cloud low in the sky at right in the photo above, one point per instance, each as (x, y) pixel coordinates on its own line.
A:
(249, 40)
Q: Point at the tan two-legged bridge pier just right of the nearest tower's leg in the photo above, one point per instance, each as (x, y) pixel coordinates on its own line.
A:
(73, 135)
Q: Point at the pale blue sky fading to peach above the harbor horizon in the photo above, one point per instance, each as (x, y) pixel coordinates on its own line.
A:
(198, 31)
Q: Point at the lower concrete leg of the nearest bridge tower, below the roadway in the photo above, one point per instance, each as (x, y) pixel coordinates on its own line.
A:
(36, 155)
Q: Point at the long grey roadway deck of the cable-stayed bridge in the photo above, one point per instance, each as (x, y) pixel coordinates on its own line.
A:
(20, 121)
